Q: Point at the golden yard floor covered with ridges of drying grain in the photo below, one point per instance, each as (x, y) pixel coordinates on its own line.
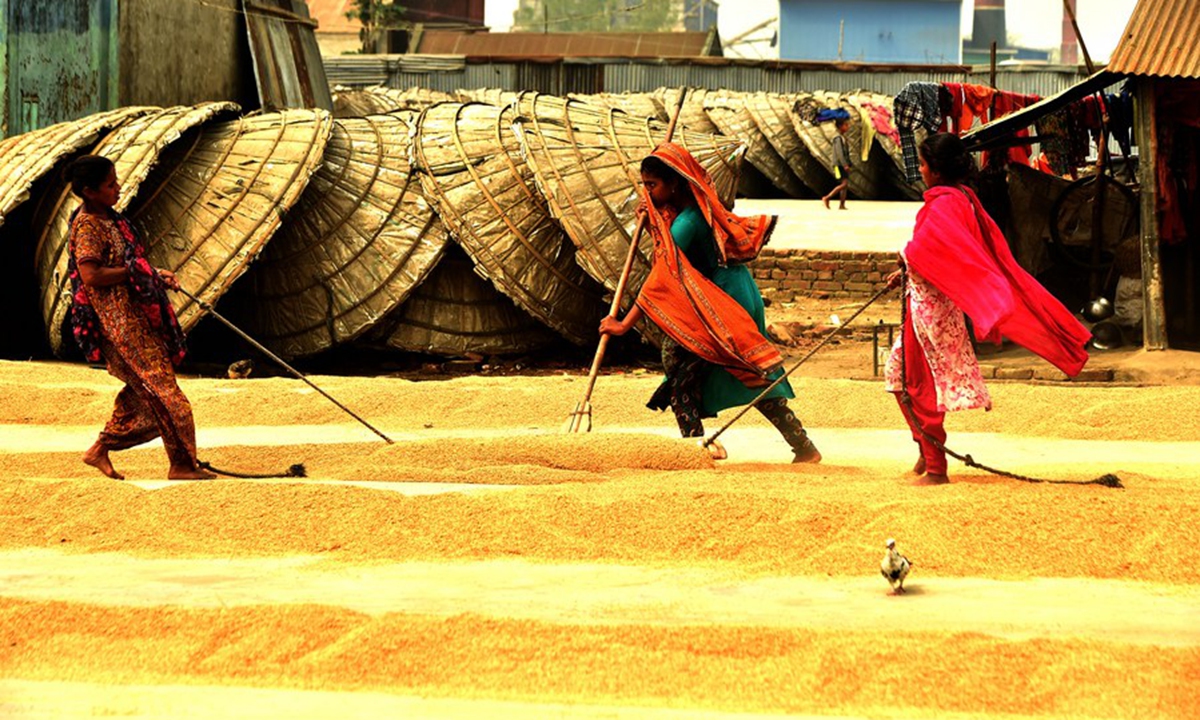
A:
(489, 567)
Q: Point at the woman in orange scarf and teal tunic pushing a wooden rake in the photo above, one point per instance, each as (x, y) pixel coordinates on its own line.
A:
(701, 295)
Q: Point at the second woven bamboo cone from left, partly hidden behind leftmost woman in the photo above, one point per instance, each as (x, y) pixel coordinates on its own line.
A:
(135, 148)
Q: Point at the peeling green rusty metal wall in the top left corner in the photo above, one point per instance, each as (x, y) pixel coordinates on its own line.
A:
(61, 62)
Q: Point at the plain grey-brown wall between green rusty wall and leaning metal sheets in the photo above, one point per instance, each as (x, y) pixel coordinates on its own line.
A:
(165, 62)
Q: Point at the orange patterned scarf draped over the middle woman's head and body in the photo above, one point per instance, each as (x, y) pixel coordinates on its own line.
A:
(688, 307)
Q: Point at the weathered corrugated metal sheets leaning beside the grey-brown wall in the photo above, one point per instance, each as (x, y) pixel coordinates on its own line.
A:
(287, 61)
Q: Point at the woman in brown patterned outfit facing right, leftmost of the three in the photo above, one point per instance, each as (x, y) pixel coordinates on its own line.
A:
(121, 314)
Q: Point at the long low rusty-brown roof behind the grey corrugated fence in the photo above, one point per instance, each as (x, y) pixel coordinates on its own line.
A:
(568, 45)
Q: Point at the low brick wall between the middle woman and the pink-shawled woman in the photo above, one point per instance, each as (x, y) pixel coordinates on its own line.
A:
(784, 275)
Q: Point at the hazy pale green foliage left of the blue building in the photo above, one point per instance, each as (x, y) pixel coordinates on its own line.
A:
(598, 16)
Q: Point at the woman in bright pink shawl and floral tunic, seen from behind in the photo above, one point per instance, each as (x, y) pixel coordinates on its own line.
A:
(959, 262)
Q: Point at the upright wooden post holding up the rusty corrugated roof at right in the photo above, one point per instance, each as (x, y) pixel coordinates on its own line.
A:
(1147, 134)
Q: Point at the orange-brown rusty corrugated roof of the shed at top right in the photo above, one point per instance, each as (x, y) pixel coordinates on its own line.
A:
(1161, 40)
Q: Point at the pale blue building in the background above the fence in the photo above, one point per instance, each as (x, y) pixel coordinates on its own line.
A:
(925, 32)
